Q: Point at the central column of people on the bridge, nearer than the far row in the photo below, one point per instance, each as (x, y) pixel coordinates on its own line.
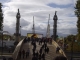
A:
(42, 51)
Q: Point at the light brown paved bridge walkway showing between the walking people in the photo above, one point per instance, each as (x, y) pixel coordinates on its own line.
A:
(50, 56)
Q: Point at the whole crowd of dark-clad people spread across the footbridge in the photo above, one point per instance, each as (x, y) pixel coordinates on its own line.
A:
(36, 54)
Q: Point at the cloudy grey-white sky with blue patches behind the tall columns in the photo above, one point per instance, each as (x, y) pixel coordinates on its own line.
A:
(40, 9)
